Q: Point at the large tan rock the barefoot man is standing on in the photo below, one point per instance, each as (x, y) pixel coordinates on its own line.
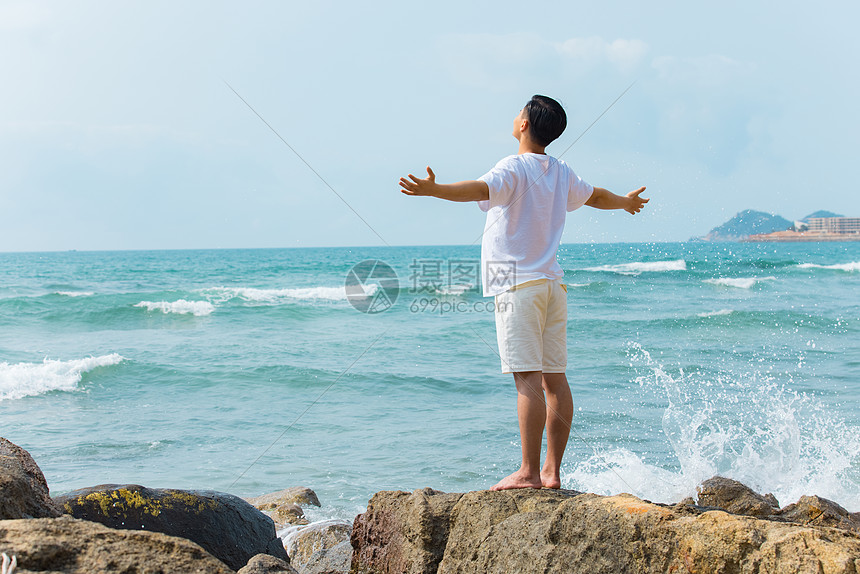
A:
(566, 532)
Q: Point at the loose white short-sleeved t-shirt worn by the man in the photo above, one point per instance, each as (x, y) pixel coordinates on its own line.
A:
(530, 195)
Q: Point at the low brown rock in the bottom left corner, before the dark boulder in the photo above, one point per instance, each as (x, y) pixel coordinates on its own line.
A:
(68, 546)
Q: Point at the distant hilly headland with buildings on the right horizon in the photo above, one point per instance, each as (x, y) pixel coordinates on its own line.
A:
(758, 226)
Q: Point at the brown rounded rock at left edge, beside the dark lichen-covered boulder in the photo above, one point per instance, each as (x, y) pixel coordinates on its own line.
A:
(23, 489)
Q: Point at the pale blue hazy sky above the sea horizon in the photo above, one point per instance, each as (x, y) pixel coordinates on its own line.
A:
(121, 128)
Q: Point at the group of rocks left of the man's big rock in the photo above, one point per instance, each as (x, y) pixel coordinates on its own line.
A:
(136, 530)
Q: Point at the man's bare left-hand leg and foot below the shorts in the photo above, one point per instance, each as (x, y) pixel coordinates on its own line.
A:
(532, 415)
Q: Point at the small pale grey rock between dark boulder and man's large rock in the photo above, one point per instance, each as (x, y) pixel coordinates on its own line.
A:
(321, 547)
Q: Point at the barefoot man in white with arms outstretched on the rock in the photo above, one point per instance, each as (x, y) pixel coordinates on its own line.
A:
(526, 197)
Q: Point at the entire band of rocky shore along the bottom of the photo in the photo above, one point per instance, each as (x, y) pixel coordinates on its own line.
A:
(133, 529)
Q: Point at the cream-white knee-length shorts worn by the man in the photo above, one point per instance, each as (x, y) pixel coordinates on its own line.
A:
(531, 327)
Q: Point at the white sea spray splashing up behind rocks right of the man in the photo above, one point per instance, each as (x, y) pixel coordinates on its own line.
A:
(746, 426)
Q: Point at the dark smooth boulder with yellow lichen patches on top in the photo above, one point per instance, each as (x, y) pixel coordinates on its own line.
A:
(224, 525)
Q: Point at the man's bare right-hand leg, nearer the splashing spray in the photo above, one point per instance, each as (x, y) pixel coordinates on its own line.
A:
(559, 414)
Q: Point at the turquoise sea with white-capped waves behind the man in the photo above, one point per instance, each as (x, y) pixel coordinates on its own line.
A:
(359, 369)
